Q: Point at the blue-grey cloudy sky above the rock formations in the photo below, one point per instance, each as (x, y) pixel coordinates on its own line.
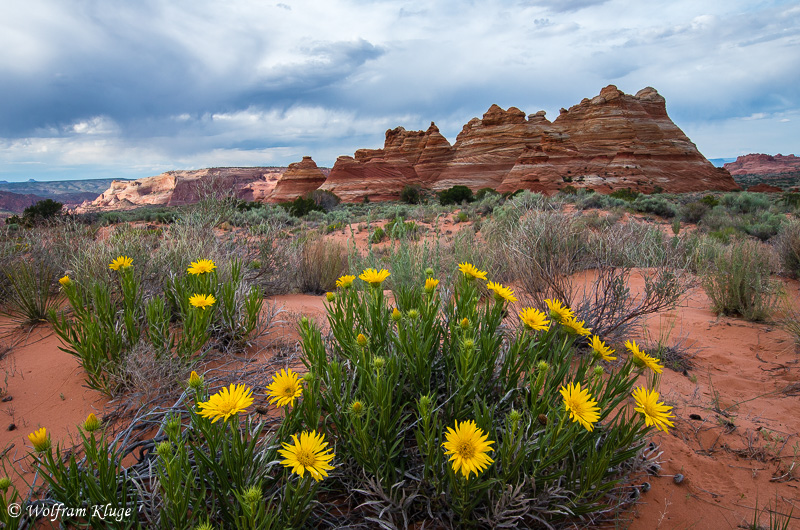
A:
(102, 89)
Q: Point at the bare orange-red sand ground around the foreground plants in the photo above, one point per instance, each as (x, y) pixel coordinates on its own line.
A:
(744, 390)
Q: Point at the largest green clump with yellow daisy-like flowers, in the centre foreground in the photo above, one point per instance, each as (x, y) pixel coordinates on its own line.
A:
(428, 399)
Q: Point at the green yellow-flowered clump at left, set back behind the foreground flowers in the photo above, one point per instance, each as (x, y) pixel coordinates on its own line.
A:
(110, 319)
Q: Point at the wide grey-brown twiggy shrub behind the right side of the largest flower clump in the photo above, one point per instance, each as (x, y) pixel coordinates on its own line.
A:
(546, 251)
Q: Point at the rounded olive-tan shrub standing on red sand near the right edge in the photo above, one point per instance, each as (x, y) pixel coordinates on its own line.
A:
(738, 283)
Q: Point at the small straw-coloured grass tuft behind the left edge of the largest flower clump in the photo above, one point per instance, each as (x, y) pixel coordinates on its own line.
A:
(321, 262)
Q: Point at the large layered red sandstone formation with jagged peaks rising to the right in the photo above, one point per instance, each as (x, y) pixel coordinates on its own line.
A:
(609, 142)
